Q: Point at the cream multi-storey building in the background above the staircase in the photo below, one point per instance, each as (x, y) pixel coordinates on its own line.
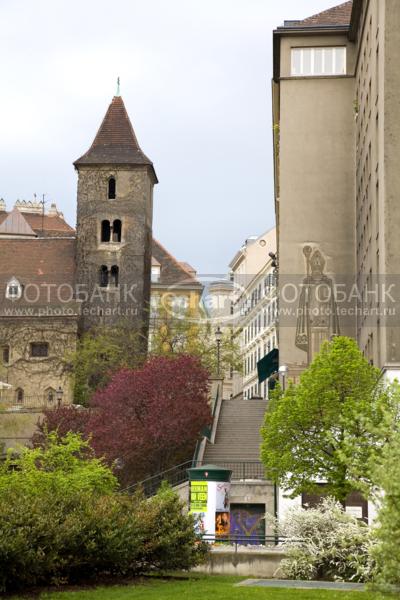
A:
(254, 309)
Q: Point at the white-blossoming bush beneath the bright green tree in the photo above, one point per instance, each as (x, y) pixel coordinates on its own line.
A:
(326, 543)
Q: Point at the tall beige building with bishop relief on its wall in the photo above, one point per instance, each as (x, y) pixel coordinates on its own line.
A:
(336, 120)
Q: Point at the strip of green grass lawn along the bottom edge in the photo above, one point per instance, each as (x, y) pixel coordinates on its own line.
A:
(203, 588)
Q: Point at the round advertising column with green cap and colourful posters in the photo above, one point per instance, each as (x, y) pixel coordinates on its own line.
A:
(209, 500)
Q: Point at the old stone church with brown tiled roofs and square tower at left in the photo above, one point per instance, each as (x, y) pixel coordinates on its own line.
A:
(56, 282)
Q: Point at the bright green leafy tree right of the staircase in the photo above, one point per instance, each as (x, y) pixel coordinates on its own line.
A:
(329, 426)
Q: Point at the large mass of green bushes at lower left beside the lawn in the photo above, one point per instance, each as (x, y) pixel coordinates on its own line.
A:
(62, 521)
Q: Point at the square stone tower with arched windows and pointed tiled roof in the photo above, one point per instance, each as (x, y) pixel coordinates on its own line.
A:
(114, 225)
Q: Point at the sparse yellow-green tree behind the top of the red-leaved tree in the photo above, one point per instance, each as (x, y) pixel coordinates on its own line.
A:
(194, 334)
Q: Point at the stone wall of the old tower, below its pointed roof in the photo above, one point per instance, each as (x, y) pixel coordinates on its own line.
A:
(128, 301)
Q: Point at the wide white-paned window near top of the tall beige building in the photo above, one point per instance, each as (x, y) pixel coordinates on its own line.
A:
(308, 62)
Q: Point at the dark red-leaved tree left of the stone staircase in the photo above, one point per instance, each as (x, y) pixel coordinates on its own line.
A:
(146, 420)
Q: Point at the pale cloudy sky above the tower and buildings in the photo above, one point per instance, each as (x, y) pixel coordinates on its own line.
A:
(196, 81)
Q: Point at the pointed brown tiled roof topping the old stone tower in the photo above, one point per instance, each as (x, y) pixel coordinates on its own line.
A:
(115, 142)
